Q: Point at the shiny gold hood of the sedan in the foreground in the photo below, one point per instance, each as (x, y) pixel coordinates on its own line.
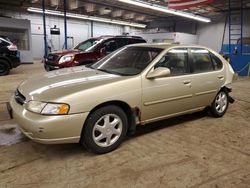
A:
(56, 84)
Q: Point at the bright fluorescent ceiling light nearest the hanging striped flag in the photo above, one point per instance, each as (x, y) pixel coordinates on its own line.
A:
(166, 10)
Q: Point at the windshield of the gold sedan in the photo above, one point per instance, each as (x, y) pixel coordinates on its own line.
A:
(127, 61)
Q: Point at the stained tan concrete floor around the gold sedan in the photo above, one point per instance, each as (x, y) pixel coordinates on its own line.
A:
(189, 151)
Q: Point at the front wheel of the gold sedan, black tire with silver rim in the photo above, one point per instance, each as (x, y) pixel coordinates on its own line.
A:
(104, 129)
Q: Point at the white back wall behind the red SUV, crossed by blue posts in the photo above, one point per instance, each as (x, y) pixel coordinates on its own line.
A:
(80, 30)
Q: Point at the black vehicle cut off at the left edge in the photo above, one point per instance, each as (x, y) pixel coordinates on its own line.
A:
(9, 55)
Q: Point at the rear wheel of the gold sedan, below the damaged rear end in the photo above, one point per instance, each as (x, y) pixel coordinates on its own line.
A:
(220, 104)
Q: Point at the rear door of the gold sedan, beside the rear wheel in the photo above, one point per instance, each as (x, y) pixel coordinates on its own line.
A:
(207, 76)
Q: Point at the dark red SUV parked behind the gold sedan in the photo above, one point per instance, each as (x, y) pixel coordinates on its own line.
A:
(88, 52)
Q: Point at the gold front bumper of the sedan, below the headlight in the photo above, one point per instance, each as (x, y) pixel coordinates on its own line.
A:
(48, 129)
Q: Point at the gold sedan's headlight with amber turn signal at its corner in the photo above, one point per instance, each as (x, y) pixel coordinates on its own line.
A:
(47, 108)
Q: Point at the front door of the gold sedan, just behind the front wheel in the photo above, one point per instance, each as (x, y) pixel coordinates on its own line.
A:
(162, 97)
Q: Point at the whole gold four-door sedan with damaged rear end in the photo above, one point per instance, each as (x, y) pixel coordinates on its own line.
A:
(137, 84)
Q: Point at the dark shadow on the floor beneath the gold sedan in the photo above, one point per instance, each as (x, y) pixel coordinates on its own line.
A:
(66, 150)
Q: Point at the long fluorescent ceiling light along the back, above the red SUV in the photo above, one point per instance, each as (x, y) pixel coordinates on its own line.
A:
(85, 17)
